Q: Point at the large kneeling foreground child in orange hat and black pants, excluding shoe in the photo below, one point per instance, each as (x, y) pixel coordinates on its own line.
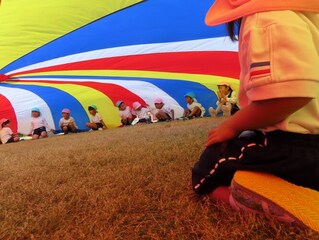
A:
(277, 128)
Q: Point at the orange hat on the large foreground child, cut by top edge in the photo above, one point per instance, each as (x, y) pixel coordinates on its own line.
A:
(223, 11)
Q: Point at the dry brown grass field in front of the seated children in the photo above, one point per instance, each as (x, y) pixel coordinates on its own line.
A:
(126, 183)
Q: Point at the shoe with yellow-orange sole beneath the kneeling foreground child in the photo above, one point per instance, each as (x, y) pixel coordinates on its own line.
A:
(276, 197)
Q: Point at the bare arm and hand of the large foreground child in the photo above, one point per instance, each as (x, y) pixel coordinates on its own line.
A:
(259, 114)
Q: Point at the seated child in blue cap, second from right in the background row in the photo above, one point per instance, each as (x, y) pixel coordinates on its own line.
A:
(194, 109)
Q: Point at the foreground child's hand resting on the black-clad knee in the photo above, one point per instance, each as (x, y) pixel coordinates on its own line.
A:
(222, 133)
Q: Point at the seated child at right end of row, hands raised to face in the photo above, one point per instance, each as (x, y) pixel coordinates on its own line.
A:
(227, 101)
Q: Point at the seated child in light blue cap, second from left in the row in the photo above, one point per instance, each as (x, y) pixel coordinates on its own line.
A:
(39, 125)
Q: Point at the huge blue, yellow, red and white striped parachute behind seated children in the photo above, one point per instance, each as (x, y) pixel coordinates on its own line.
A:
(59, 54)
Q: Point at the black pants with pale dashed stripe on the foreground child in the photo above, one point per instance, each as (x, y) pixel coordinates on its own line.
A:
(291, 156)
